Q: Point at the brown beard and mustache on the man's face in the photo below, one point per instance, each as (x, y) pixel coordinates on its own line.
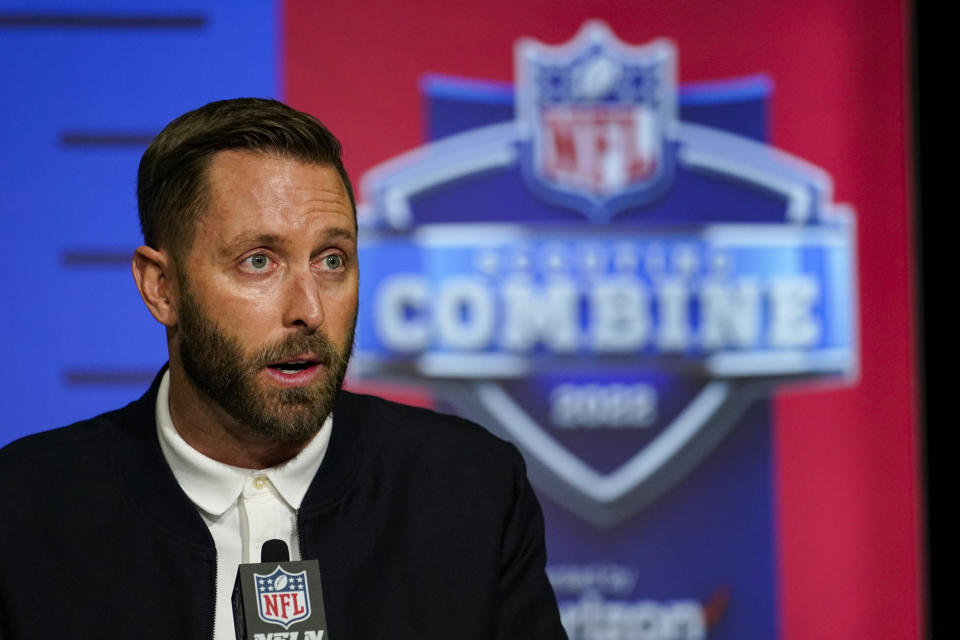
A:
(215, 363)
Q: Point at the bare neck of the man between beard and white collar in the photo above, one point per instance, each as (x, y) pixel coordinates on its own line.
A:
(206, 427)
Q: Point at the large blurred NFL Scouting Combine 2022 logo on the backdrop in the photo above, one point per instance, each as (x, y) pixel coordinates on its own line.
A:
(610, 279)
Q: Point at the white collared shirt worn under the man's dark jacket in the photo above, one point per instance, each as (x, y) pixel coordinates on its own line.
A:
(242, 507)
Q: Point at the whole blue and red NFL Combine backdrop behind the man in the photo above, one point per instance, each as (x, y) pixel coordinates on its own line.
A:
(627, 190)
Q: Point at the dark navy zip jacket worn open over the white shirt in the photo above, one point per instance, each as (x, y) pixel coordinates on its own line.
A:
(424, 526)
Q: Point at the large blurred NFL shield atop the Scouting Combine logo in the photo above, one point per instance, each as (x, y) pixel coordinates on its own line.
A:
(597, 116)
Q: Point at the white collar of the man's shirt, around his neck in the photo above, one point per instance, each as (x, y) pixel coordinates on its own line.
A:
(214, 486)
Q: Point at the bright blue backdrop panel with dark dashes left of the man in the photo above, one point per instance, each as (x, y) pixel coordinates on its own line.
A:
(85, 86)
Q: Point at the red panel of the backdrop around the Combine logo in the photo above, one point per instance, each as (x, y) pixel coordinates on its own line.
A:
(846, 460)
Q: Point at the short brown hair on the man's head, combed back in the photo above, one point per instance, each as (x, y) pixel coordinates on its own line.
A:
(171, 181)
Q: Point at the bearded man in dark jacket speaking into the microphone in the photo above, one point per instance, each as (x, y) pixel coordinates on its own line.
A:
(133, 523)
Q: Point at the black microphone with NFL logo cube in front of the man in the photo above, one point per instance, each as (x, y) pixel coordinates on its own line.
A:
(277, 594)
